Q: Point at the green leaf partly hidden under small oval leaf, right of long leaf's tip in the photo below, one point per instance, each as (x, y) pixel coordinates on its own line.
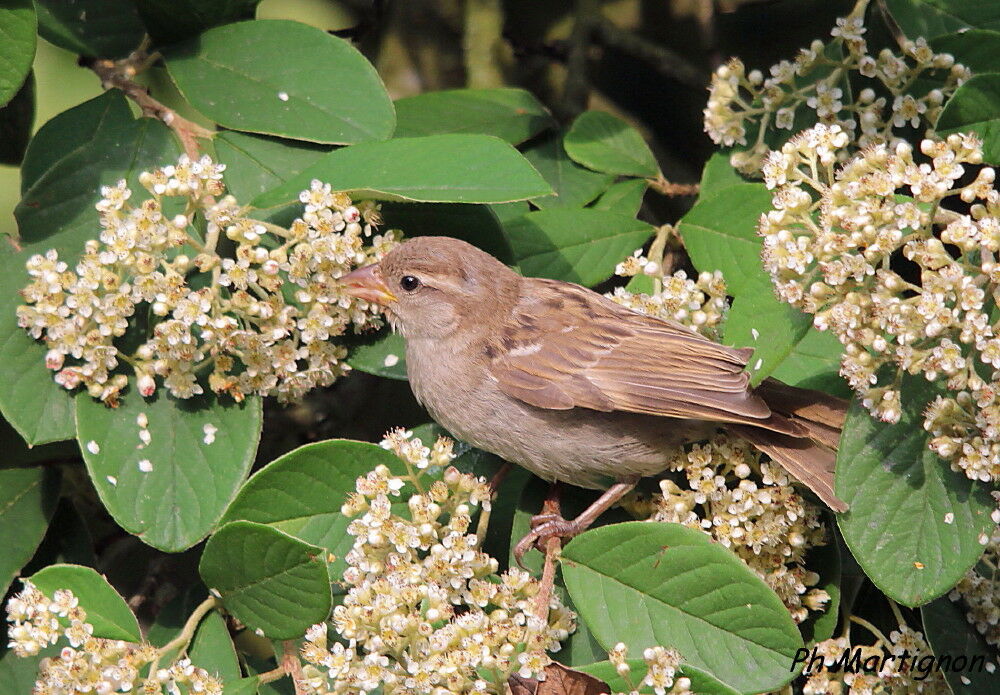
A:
(572, 185)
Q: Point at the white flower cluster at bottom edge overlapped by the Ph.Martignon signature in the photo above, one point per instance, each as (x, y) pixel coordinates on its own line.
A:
(893, 659)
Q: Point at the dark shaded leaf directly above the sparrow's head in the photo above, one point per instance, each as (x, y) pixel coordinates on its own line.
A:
(476, 224)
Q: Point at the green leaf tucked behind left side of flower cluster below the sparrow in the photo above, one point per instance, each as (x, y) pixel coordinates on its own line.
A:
(301, 493)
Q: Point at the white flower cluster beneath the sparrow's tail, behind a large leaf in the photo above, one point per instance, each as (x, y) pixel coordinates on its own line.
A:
(751, 508)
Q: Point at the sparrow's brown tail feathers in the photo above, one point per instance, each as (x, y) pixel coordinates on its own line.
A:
(811, 457)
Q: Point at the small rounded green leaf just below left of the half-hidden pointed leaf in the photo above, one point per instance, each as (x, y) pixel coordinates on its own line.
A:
(267, 579)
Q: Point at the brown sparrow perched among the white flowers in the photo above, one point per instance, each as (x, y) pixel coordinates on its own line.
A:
(574, 387)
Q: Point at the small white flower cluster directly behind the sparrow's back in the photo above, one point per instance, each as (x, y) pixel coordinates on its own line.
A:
(699, 304)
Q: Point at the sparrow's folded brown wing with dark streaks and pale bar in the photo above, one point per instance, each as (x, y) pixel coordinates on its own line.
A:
(567, 347)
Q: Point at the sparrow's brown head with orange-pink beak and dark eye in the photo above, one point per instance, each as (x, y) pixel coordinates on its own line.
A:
(432, 286)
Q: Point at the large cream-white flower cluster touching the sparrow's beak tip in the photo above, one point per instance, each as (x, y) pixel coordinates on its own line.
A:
(254, 307)
